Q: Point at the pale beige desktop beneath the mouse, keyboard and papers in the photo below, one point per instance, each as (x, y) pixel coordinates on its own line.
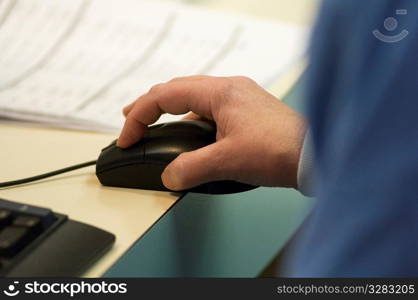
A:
(127, 213)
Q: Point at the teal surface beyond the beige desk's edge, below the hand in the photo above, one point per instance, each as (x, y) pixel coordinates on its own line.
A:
(233, 235)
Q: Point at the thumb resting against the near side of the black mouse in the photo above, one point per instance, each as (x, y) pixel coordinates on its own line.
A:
(193, 168)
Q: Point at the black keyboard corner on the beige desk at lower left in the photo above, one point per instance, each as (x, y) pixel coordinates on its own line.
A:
(36, 241)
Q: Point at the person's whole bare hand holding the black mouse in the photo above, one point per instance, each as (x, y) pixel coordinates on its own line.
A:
(258, 138)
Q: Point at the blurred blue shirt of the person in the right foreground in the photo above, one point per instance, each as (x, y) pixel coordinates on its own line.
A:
(362, 104)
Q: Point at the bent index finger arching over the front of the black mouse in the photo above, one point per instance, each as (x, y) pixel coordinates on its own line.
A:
(174, 97)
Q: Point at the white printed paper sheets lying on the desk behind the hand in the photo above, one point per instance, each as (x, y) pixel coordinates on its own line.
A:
(76, 63)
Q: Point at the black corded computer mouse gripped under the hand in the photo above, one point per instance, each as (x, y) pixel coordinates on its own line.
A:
(140, 166)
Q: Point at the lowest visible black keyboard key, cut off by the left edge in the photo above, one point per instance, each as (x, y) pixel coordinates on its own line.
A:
(12, 239)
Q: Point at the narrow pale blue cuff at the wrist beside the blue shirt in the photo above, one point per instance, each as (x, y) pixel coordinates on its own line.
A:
(306, 168)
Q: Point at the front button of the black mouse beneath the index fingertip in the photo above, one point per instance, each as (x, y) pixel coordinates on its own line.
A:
(113, 156)
